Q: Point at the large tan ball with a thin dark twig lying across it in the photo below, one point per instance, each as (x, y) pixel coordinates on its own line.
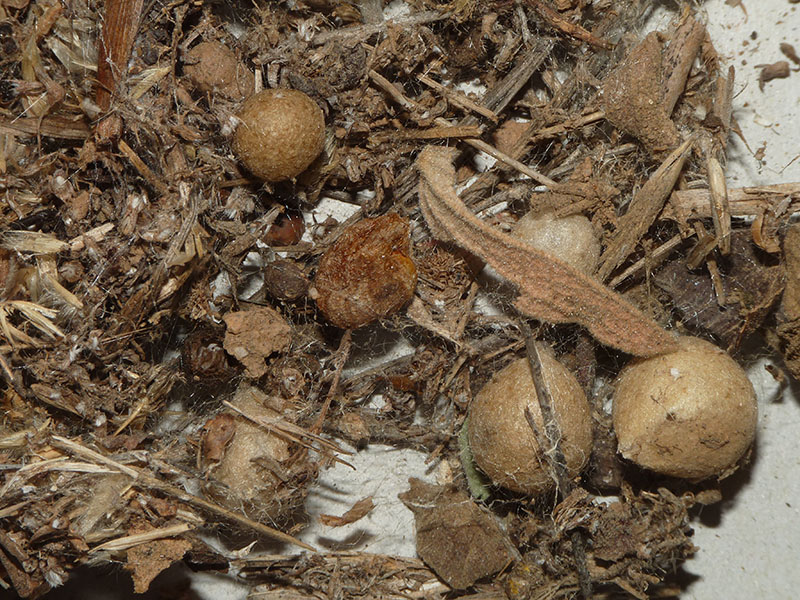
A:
(502, 442)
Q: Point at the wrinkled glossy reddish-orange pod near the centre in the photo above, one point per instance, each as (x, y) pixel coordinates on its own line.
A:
(367, 273)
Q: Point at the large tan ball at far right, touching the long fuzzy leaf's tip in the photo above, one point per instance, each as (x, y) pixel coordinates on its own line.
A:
(690, 414)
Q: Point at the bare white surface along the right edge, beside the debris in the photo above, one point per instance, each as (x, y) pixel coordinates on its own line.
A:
(750, 545)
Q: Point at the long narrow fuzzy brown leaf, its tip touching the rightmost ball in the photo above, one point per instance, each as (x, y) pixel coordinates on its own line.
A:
(549, 289)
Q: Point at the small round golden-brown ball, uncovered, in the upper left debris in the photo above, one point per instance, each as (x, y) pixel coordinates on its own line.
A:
(280, 133)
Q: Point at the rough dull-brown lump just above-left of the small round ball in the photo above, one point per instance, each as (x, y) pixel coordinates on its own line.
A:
(212, 66)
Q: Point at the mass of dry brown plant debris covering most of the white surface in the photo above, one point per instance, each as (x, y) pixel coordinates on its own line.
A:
(176, 350)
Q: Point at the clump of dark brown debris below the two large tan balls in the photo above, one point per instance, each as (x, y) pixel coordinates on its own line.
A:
(621, 554)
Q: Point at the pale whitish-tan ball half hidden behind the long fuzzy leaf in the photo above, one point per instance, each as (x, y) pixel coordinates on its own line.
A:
(571, 239)
